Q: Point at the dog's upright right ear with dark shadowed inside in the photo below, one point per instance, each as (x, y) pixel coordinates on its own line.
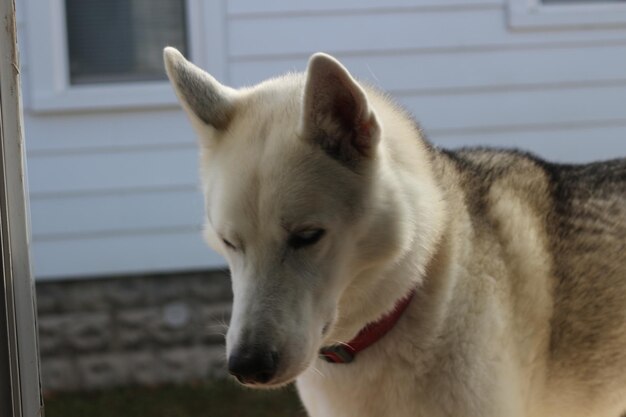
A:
(336, 113)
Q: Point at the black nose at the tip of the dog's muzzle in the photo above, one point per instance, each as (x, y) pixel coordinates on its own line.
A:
(253, 366)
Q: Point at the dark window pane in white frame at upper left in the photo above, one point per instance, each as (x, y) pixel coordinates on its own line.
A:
(112, 41)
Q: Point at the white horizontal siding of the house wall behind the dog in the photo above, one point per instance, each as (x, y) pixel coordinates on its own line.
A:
(116, 191)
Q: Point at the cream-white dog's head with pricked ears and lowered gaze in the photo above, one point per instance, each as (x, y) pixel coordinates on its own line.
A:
(288, 168)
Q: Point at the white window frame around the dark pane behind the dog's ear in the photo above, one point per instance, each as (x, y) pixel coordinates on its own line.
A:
(47, 63)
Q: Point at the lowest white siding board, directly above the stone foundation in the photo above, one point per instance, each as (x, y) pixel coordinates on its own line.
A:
(123, 255)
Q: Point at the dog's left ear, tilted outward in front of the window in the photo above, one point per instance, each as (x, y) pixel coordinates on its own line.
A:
(205, 99)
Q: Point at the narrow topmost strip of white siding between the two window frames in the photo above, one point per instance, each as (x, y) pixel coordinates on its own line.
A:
(246, 7)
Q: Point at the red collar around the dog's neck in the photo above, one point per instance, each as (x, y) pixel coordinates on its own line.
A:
(370, 334)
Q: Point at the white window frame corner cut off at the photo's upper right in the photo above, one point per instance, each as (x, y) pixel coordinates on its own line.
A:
(534, 15)
